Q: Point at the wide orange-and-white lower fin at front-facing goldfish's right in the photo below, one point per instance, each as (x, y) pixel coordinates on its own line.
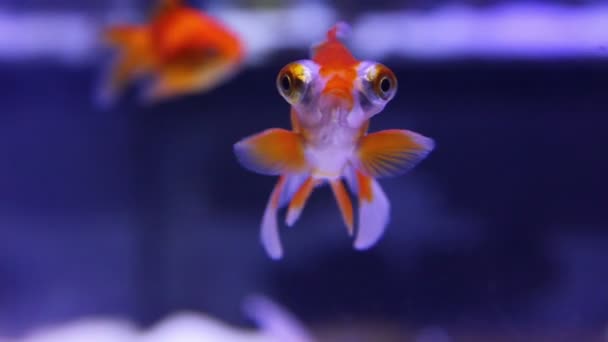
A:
(374, 209)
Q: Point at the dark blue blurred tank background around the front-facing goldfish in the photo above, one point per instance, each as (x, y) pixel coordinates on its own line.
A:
(140, 211)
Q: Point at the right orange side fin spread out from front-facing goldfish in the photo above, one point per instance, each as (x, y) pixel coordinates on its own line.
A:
(391, 152)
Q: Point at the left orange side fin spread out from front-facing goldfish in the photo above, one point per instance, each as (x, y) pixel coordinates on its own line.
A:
(273, 152)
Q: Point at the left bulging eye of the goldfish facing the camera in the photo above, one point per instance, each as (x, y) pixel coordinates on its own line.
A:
(293, 82)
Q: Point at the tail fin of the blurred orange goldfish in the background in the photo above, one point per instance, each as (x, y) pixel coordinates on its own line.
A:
(131, 60)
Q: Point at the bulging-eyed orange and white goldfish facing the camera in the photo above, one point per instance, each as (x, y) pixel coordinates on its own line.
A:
(332, 98)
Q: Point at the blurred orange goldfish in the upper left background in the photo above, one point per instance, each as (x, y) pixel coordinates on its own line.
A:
(180, 51)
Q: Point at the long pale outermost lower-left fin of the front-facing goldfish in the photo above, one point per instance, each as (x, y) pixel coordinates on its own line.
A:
(269, 233)
